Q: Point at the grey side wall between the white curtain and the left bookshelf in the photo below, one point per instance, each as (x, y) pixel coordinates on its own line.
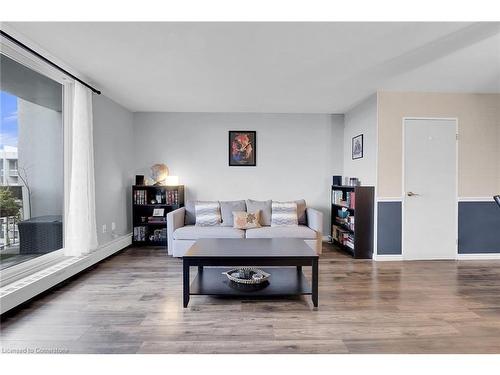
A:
(114, 171)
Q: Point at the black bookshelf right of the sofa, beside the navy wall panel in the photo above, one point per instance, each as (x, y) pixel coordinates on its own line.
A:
(359, 202)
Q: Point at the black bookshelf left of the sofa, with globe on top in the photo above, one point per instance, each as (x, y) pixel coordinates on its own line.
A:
(150, 230)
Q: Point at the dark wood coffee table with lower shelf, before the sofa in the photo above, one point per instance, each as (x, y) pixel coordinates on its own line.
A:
(281, 252)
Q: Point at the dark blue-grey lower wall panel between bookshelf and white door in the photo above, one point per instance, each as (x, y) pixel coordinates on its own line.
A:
(389, 228)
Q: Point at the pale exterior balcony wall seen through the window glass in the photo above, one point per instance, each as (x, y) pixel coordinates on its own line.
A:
(41, 157)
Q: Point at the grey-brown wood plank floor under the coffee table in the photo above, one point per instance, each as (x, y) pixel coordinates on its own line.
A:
(132, 303)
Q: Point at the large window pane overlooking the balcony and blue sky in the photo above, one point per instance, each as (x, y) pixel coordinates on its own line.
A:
(32, 164)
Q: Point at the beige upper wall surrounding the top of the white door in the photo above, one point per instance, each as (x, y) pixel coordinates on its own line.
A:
(479, 138)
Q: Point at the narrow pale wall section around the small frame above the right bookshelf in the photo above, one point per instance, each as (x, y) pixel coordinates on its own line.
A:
(362, 119)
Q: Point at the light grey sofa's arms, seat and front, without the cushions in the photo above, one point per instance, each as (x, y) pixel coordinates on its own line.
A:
(182, 236)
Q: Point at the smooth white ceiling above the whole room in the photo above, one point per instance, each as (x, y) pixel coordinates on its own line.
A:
(271, 67)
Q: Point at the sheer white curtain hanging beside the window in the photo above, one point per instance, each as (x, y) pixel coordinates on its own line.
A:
(81, 232)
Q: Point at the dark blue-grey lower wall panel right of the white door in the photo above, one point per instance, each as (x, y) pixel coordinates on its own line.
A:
(478, 227)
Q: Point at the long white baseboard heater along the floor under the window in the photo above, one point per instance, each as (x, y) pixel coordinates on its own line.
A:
(22, 290)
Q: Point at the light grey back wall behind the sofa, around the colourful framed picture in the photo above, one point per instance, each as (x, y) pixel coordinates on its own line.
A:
(296, 154)
